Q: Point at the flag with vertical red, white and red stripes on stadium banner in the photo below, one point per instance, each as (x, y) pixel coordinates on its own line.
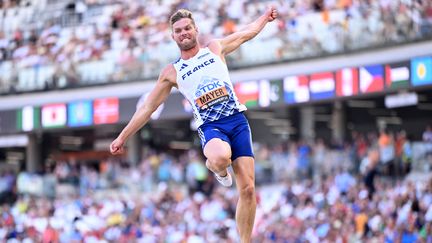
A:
(347, 82)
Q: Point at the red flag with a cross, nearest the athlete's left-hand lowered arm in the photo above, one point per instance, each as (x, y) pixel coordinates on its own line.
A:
(106, 111)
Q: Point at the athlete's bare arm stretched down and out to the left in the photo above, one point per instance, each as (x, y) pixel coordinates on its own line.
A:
(157, 96)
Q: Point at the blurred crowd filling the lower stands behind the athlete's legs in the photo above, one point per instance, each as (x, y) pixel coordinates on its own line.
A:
(320, 192)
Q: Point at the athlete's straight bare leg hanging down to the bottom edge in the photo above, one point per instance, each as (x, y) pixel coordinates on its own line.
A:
(244, 170)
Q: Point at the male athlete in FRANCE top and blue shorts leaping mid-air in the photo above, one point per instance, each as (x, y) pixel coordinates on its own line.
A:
(201, 75)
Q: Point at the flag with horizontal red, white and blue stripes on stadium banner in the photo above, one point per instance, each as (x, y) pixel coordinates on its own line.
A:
(322, 86)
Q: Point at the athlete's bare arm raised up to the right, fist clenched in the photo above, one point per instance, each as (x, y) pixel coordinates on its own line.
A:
(233, 41)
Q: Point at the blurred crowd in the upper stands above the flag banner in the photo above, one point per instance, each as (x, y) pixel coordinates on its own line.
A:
(127, 37)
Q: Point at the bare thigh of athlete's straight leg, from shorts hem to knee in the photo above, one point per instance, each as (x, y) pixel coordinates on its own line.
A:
(244, 170)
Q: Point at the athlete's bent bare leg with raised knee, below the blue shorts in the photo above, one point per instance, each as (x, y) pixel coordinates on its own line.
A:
(218, 154)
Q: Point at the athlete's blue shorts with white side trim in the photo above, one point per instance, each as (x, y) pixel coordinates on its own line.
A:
(232, 129)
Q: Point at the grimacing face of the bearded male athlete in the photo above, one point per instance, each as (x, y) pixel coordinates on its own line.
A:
(184, 33)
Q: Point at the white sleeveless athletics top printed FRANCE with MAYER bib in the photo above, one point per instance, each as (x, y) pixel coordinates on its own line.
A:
(204, 81)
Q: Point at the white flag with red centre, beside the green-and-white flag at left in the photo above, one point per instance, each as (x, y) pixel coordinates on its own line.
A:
(54, 115)
